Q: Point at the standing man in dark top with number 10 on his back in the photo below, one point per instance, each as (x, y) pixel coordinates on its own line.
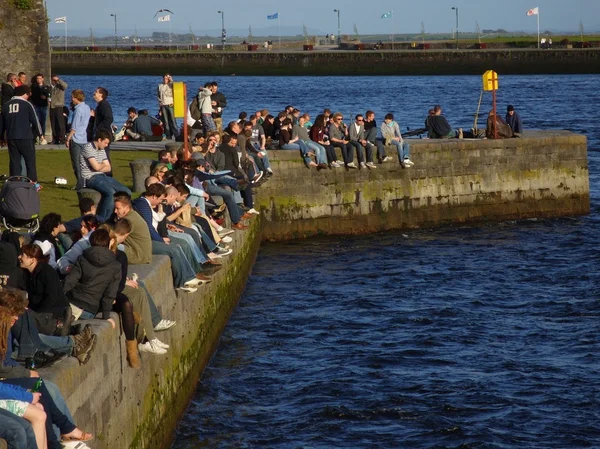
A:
(22, 127)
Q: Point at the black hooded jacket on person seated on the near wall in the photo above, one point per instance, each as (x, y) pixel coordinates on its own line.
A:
(94, 280)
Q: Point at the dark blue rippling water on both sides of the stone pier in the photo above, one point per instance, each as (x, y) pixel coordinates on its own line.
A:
(470, 337)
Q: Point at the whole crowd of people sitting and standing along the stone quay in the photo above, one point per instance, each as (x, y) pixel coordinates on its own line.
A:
(68, 273)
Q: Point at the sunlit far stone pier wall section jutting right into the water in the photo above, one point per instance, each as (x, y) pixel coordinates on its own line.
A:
(453, 181)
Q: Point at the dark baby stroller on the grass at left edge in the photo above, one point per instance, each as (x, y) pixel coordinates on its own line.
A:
(20, 205)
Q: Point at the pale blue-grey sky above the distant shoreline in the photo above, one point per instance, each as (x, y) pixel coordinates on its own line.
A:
(436, 15)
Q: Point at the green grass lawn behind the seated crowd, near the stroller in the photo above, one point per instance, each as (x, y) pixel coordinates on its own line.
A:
(60, 198)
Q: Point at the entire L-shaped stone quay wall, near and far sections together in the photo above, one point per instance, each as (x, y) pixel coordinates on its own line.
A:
(544, 174)
